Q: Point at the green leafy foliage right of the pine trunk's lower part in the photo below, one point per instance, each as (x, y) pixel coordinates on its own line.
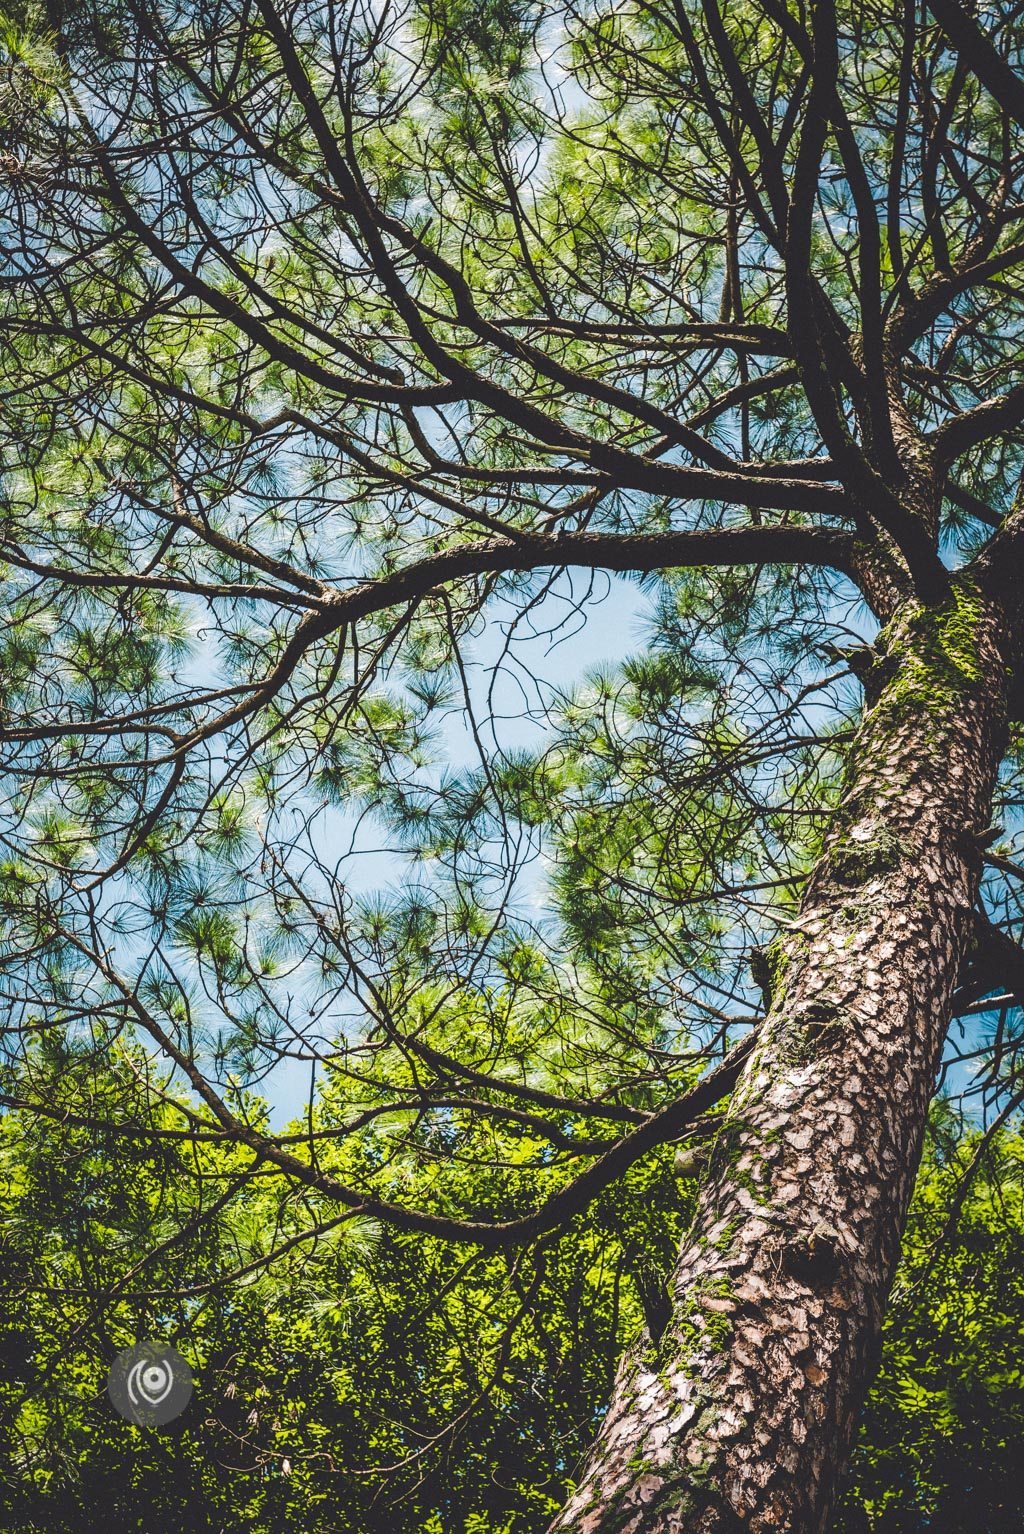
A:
(944, 1432)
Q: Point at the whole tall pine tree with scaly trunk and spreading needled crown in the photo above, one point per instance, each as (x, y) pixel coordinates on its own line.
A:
(335, 335)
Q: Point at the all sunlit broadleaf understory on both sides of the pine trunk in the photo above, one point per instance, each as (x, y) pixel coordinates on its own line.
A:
(370, 1381)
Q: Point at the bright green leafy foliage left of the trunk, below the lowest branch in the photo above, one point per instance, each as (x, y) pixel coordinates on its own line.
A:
(363, 1381)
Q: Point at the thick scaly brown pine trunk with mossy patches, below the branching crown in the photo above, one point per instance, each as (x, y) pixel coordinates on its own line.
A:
(741, 1415)
